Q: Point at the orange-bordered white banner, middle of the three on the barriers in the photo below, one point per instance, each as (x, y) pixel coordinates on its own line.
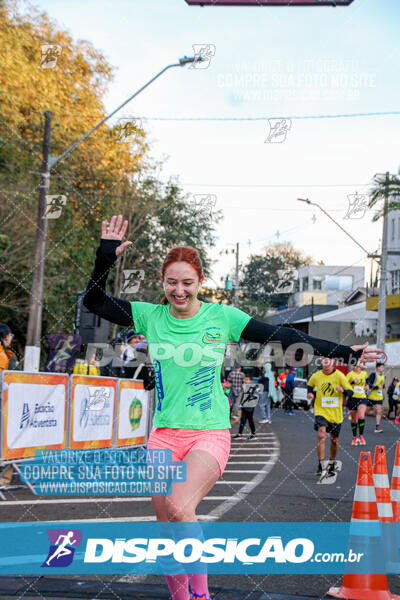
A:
(92, 411)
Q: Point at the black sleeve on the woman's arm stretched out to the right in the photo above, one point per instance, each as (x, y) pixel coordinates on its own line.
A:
(258, 331)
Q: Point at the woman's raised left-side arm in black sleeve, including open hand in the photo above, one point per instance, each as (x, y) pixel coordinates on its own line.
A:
(96, 299)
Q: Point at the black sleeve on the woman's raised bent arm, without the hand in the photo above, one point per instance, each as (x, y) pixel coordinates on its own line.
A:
(95, 299)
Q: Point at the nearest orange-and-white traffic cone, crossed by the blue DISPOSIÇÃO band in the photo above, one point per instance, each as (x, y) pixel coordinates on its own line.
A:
(362, 586)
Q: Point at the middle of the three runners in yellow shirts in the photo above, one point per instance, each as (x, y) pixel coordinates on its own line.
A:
(357, 405)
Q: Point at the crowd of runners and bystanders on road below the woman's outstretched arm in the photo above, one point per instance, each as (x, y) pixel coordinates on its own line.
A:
(334, 396)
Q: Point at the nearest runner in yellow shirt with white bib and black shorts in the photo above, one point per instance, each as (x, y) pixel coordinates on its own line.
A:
(325, 389)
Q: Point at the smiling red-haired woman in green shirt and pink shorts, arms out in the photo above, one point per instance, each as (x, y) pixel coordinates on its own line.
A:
(192, 415)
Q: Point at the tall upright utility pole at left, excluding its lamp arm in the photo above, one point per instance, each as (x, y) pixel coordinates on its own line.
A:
(32, 350)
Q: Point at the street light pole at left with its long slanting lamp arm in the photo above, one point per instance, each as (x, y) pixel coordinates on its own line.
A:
(32, 348)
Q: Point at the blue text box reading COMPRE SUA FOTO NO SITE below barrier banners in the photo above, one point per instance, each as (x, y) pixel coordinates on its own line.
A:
(102, 472)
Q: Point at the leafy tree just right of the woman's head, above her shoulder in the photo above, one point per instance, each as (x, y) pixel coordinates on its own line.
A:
(259, 278)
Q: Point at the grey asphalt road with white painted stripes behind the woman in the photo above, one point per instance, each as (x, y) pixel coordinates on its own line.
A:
(269, 479)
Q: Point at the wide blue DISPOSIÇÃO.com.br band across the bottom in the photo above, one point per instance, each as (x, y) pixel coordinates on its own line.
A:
(215, 548)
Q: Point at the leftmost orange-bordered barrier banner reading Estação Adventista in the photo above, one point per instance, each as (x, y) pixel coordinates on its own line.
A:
(34, 408)
